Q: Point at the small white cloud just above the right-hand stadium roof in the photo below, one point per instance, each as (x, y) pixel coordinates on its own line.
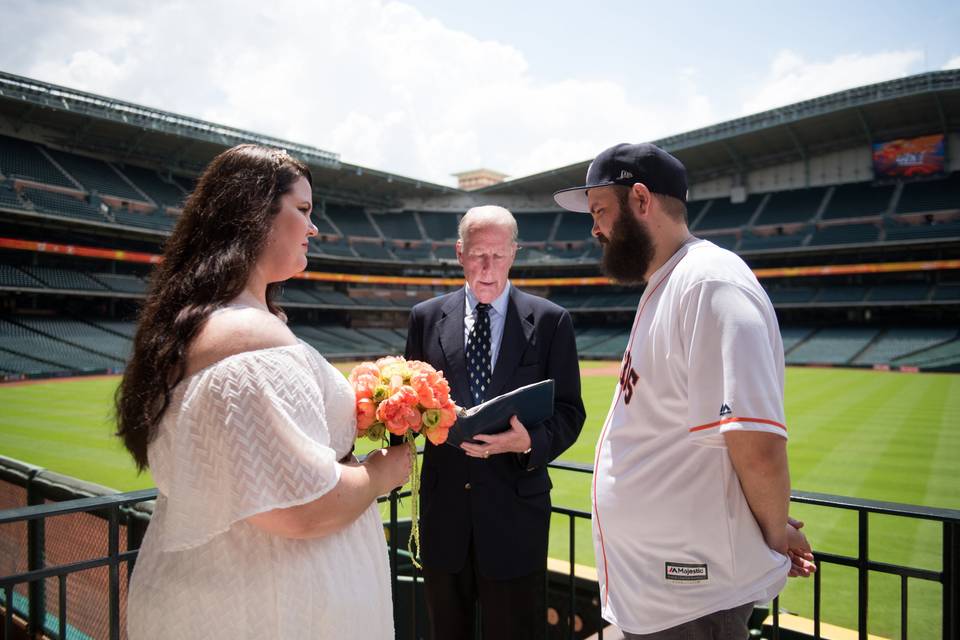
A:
(791, 78)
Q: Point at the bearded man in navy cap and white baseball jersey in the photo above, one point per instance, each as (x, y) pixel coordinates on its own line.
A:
(691, 485)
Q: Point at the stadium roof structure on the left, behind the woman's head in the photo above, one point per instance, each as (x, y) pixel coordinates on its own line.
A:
(129, 132)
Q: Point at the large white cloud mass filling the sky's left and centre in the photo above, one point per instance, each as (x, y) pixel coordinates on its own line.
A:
(374, 80)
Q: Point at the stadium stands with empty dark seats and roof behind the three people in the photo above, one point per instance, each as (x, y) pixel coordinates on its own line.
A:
(862, 266)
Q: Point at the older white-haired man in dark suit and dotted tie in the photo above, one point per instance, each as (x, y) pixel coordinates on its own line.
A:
(485, 508)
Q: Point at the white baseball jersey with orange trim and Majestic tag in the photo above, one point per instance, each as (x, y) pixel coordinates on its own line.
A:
(673, 534)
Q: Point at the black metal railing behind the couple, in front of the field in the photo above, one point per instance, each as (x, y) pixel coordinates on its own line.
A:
(116, 508)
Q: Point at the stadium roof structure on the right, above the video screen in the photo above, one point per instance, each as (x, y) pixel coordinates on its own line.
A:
(915, 105)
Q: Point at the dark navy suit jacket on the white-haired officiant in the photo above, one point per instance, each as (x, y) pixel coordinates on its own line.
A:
(503, 502)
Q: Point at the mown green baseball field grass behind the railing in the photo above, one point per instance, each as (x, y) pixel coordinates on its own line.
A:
(875, 435)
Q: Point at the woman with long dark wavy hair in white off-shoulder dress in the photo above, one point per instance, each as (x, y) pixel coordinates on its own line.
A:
(265, 525)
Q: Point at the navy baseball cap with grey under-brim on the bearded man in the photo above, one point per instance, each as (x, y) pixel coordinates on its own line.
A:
(628, 164)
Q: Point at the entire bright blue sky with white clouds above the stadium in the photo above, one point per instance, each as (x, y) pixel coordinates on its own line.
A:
(429, 87)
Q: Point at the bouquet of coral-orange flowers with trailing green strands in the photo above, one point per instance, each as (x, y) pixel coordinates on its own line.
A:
(404, 397)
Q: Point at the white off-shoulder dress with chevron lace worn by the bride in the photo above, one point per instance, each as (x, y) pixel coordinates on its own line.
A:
(251, 433)
